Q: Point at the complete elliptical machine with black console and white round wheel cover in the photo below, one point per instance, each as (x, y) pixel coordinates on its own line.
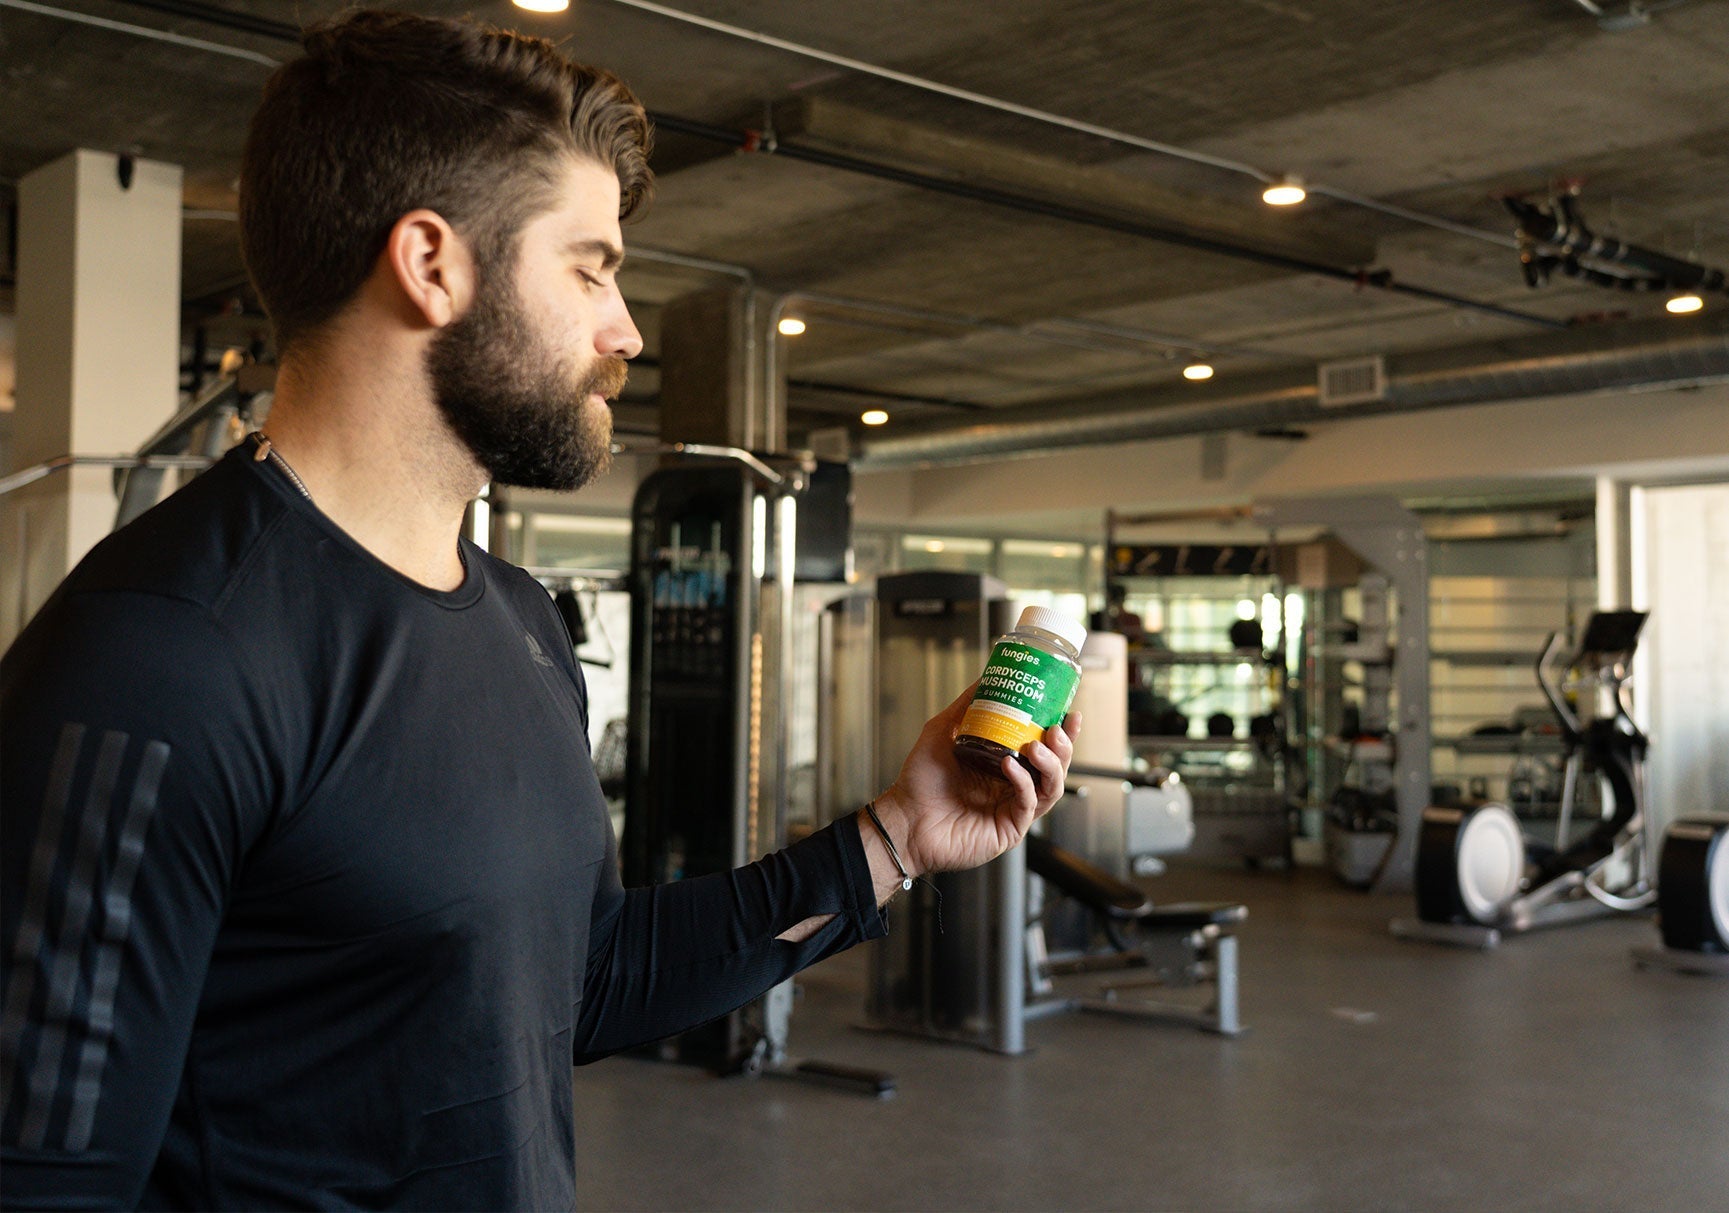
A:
(1479, 877)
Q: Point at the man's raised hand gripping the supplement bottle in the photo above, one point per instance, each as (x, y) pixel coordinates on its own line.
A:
(947, 815)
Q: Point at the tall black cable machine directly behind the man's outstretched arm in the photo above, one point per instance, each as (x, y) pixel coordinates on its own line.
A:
(718, 540)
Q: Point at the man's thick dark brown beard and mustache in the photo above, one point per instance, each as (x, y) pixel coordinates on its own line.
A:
(521, 410)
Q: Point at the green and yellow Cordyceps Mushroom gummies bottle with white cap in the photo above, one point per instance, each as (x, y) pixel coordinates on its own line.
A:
(1026, 689)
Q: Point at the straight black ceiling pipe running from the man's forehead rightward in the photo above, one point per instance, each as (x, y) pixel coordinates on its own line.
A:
(1381, 279)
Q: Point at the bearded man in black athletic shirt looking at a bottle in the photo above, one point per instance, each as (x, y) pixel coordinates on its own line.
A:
(310, 896)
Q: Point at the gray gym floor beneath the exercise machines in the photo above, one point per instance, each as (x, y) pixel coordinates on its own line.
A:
(1375, 1076)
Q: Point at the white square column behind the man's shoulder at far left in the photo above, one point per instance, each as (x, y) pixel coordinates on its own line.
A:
(98, 355)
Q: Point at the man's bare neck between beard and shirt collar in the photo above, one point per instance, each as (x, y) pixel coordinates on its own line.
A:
(376, 455)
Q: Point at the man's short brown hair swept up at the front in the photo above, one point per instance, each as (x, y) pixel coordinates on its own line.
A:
(388, 113)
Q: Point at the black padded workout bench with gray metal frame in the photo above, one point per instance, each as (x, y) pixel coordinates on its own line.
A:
(1209, 930)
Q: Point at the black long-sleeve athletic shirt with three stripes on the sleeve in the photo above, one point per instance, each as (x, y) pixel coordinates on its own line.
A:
(310, 896)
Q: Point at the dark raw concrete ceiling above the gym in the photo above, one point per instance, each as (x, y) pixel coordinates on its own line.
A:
(964, 305)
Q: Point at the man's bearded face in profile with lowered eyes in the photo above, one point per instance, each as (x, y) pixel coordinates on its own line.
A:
(525, 374)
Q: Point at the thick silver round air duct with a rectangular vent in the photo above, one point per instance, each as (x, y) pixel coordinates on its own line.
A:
(1642, 355)
